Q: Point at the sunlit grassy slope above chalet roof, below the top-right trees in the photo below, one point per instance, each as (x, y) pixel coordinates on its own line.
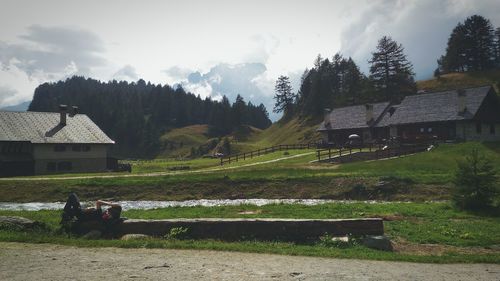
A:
(461, 80)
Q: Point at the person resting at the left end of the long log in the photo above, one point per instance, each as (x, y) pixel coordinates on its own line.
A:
(72, 209)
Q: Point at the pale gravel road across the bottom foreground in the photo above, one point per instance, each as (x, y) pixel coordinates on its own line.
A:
(52, 262)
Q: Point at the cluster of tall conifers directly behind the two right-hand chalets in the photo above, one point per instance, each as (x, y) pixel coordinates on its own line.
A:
(339, 82)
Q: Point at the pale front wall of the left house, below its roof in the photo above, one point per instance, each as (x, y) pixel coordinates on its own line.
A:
(93, 160)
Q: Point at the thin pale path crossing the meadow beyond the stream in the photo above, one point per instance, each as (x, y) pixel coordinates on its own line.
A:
(155, 174)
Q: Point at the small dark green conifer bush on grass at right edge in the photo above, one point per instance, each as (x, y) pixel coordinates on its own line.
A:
(475, 182)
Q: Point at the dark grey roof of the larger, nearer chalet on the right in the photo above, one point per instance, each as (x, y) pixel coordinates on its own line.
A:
(435, 107)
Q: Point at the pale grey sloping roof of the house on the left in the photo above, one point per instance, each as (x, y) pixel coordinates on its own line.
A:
(43, 127)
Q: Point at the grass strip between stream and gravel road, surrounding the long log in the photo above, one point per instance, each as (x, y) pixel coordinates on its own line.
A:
(456, 236)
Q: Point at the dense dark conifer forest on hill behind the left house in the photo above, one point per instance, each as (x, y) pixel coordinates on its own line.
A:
(135, 115)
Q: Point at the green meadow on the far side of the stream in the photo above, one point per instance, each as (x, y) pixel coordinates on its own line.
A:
(274, 175)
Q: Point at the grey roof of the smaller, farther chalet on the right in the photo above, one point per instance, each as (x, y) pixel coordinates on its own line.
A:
(351, 117)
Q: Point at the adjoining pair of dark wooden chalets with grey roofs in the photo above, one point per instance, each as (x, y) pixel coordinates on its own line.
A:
(465, 114)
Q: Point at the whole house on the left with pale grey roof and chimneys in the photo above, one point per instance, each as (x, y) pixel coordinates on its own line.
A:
(36, 143)
